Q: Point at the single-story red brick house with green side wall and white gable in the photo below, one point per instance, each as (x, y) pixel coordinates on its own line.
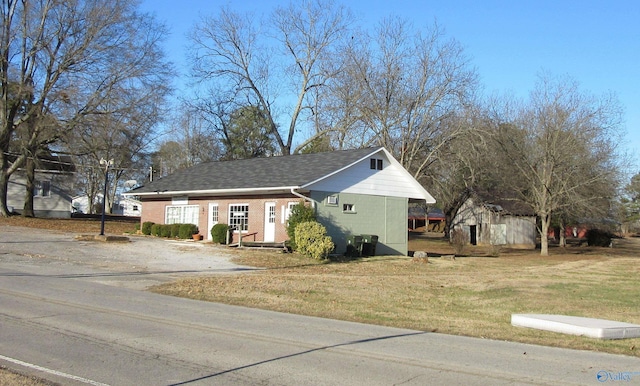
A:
(354, 192)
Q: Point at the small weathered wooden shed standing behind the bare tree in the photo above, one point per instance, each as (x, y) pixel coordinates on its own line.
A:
(496, 222)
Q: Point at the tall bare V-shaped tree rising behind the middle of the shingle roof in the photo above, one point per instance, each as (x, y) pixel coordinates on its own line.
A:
(237, 54)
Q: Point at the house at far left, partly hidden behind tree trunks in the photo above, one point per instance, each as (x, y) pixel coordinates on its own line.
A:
(54, 182)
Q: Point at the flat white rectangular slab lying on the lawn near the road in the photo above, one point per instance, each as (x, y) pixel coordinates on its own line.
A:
(575, 325)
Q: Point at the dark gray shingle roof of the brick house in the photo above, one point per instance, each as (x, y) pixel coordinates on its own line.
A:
(271, 172)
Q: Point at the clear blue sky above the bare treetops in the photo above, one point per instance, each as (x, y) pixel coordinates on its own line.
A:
(597, 43)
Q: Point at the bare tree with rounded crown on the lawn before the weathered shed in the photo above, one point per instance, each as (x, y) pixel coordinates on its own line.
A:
(560, 153)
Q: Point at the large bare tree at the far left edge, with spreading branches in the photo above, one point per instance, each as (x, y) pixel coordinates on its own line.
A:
(70, 60)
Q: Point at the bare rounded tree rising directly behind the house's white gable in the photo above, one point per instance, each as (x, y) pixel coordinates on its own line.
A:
(407, 87)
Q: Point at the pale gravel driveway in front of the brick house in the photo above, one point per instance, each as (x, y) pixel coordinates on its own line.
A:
(141, 262)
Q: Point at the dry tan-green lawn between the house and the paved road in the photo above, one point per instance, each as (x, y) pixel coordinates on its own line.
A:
(473, 295)
